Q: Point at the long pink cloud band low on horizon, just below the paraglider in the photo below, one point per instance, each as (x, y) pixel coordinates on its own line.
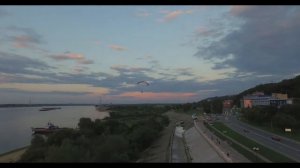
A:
(157, 96)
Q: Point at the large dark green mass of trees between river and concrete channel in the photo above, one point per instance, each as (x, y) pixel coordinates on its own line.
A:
(108, 140)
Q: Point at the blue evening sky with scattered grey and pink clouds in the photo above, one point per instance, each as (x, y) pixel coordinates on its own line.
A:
(79, 54)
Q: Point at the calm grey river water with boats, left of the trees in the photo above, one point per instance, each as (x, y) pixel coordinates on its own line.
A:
(16, 123)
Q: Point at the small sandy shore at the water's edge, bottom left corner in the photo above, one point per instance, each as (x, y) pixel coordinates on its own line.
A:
(13, 156)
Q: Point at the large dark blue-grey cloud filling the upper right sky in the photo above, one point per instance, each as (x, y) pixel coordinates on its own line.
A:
(265, 42)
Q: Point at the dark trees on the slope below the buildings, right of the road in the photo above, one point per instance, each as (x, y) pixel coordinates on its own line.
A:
(287, 116)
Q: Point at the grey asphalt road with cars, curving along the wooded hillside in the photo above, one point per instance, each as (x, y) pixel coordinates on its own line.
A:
(285, 146)
